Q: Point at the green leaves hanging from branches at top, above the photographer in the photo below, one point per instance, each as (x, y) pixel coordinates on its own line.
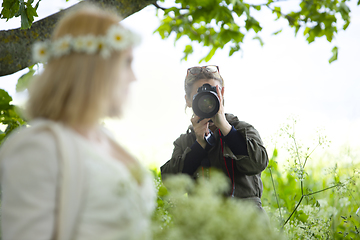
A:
(216, 23)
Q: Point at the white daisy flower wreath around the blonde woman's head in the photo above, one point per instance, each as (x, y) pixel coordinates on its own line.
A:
(117, 38)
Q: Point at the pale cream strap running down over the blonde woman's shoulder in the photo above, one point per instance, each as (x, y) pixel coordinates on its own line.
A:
(71, 180)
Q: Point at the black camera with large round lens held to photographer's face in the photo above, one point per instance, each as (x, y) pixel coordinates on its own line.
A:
(206, 102)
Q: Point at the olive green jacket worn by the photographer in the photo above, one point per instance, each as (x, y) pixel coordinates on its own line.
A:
(247, 169)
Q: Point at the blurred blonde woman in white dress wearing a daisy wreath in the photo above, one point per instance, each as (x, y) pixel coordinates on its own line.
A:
(65, 177)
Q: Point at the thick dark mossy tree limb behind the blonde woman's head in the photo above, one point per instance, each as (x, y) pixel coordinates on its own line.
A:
(16, 44)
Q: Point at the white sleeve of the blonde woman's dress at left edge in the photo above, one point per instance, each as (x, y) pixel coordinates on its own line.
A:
(29, 172)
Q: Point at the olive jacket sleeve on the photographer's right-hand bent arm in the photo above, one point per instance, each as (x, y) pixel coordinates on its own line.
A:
(257, 159)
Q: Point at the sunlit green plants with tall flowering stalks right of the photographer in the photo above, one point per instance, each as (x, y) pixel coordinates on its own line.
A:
(317, 201)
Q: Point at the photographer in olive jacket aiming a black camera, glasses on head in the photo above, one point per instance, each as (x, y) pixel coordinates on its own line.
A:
(217, 140)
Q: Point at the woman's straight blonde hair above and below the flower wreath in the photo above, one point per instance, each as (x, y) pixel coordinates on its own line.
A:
(75, 89)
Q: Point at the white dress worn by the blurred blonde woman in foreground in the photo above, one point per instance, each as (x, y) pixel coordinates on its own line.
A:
(110, 202)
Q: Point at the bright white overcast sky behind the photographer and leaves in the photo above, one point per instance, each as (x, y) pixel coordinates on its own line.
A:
(263, 85)
